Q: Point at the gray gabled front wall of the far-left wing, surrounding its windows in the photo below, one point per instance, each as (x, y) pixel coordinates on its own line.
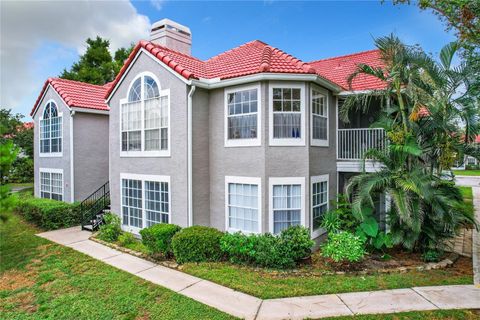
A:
(44, 161)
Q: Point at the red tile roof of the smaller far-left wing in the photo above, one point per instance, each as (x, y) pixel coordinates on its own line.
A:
(77, 94)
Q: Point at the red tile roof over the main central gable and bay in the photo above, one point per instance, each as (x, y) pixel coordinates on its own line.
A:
(250, 58)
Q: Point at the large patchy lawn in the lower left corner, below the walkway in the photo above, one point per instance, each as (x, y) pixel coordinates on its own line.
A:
(40, 279)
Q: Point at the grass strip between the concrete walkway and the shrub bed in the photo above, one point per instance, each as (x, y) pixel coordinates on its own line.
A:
(266, 285)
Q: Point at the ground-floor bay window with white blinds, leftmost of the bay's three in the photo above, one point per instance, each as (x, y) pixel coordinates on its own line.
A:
(243, 207)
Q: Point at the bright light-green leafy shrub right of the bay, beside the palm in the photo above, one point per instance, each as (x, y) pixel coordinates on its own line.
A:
(344, 247)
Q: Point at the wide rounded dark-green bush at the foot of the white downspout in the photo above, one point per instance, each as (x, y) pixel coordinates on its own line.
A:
(197, 244)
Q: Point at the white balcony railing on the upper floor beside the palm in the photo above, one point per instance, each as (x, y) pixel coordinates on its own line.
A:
(353, 143)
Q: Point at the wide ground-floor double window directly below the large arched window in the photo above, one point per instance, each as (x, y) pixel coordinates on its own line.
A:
(145, 200)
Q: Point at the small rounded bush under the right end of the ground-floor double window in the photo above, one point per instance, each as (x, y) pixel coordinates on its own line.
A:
(158, 238)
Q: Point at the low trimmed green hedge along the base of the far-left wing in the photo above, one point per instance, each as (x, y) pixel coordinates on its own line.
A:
(48, 214)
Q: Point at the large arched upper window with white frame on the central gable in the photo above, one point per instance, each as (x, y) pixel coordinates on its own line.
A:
(145, 117)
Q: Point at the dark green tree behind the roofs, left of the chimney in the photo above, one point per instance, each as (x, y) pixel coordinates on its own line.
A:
(96, 65)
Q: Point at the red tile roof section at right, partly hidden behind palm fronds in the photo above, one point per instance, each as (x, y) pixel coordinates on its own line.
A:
(338, 69)
